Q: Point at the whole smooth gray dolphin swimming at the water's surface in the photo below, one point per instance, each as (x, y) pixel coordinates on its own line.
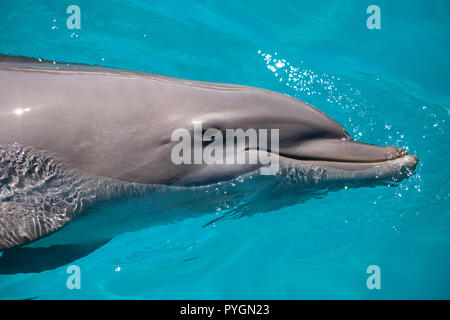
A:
(73, 135)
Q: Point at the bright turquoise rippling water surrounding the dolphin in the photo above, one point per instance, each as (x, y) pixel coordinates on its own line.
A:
(387, 86)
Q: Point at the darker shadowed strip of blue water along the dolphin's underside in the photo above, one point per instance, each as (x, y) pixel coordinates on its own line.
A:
(163, 205)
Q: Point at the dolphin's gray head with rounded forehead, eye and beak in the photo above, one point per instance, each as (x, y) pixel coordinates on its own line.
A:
(310, 146)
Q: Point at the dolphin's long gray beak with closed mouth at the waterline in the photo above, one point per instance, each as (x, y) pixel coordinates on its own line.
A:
(348, 160)
